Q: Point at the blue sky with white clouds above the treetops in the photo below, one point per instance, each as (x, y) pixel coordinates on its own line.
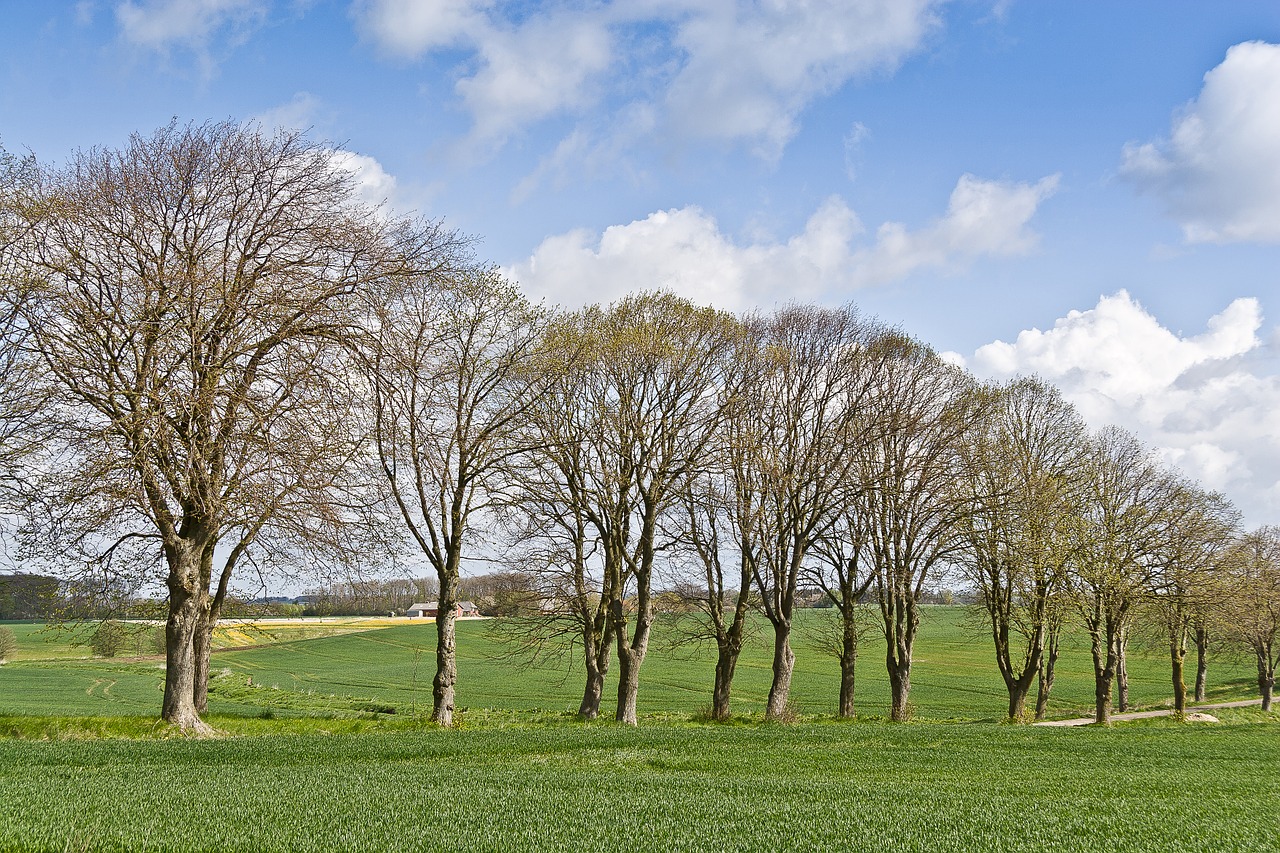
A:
(1082, 190)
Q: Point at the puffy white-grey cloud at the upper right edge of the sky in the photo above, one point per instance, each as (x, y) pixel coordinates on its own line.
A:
(1219, 172)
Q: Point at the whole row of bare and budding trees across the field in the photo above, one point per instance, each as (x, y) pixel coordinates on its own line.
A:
(218, 361)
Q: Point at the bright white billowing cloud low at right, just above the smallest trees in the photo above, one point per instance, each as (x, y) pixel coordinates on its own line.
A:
(1206, 402)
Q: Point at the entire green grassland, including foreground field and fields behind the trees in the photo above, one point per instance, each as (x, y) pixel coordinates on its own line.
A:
(328, 749)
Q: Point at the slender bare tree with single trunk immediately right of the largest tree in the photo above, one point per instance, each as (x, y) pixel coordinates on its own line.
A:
(455, 367)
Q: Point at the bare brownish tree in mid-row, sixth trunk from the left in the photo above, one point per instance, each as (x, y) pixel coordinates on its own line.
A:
(792, 455)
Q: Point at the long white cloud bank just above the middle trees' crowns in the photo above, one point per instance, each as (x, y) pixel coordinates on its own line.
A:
(684, 250)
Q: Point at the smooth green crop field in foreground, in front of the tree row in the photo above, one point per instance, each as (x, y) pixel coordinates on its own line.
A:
(662, 787)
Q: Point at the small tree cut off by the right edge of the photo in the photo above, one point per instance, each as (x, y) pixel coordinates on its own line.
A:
(1255, 603)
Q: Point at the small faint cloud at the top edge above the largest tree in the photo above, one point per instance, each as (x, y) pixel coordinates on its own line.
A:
(161, 24)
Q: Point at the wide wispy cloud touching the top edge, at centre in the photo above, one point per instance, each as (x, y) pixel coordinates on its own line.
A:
(711, 70)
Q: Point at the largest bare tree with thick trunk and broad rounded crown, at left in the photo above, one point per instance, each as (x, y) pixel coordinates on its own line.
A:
(181, 297)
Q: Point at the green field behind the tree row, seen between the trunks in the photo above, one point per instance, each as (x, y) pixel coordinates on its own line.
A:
(391, 669)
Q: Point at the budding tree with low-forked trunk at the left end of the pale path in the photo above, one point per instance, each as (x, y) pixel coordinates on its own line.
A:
(1023, 473)
